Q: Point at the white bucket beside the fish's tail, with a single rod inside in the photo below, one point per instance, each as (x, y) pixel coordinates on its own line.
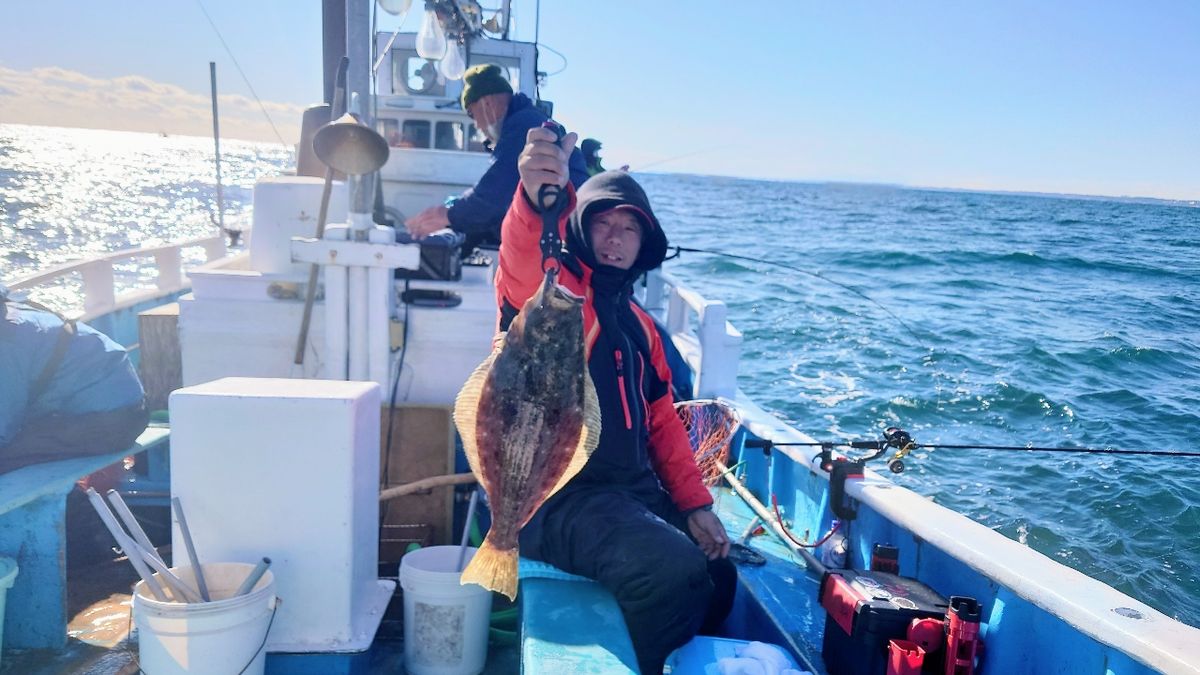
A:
(446, 624)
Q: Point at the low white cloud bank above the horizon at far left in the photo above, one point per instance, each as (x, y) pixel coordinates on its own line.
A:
(57, 97)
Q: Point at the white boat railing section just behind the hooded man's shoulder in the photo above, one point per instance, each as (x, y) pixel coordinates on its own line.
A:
(710, 344)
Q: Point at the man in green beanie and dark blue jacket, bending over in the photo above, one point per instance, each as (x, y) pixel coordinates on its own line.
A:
(505, 118)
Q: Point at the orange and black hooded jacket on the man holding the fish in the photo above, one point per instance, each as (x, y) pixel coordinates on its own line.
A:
(643, 438)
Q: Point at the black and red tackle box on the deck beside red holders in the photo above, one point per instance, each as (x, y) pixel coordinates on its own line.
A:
(865, 611)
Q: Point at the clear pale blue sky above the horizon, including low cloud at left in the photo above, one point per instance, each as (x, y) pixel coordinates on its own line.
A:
(1069, 97)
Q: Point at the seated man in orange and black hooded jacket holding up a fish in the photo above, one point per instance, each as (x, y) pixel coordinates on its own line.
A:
(638, 518)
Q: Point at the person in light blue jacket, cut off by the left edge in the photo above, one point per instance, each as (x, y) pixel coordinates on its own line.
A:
(65, 390)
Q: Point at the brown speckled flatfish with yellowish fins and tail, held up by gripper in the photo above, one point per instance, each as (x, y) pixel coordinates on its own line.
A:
(530, 420)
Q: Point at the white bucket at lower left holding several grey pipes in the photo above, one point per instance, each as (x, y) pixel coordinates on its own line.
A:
(224, 637)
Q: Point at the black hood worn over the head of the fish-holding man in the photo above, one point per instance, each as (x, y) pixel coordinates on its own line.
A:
(607, 192)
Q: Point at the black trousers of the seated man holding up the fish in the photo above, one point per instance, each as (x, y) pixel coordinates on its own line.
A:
(635, 545)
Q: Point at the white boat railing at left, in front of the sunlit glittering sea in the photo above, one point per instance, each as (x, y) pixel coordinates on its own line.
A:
(100, 289)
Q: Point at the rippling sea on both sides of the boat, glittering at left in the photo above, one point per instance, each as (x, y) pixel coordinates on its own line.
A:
(988, 319)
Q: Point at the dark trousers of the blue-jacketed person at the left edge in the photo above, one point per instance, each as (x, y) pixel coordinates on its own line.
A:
(68, 437)
